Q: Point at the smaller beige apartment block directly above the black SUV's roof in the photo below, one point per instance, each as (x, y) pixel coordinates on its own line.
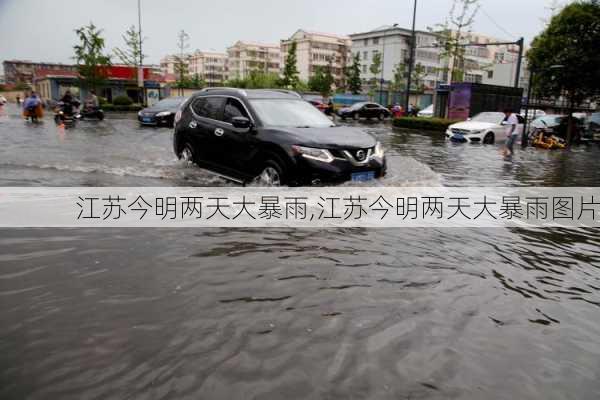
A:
(245, 57)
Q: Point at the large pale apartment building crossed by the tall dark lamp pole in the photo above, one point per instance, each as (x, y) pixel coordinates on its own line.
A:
(392, 43)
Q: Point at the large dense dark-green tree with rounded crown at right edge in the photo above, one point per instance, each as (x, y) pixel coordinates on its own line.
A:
(565, 57)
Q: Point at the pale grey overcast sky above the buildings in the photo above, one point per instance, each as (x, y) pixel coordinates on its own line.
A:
(42, 30)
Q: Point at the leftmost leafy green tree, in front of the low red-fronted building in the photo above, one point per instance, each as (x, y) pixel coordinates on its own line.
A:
(90, 58)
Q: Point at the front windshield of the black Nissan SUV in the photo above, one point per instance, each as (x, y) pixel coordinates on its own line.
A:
(289, 113)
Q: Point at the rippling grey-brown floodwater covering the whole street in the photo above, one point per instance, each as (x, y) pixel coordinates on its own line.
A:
(271, 314)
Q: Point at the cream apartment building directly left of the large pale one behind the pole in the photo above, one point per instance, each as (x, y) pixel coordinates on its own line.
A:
(315, 49)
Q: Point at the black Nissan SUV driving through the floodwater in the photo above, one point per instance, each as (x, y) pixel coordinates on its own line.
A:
(272, 137)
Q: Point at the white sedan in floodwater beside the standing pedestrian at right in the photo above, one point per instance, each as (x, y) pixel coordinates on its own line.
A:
(486, 128)
